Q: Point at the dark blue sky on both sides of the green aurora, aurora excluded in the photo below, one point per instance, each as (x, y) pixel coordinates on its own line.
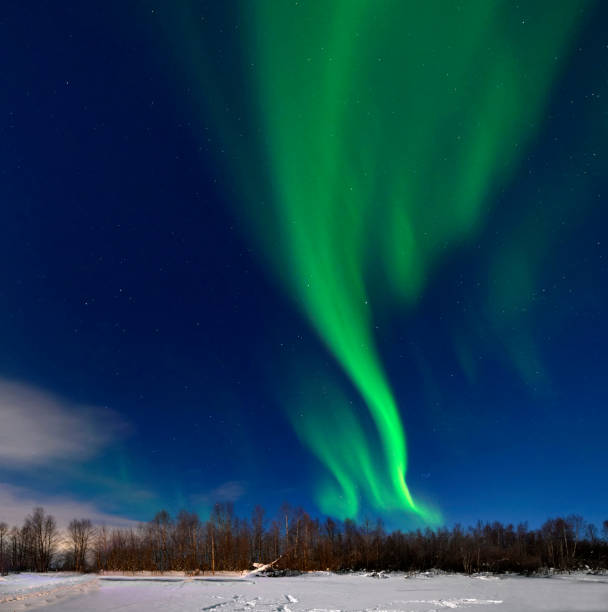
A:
(127, 284)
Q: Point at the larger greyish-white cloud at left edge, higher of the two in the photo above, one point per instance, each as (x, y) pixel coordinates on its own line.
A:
(36, 427)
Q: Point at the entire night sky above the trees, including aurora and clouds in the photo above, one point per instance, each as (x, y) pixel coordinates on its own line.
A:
(347, 255)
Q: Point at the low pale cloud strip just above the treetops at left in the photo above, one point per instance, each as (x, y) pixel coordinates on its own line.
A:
(17, 502)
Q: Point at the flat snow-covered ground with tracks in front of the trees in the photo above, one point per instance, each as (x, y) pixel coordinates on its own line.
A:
(319, 591)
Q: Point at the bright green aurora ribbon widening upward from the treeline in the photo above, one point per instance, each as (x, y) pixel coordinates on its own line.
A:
(384, 128)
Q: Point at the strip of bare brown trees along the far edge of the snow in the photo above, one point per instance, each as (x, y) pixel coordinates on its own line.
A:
(294, 541)
